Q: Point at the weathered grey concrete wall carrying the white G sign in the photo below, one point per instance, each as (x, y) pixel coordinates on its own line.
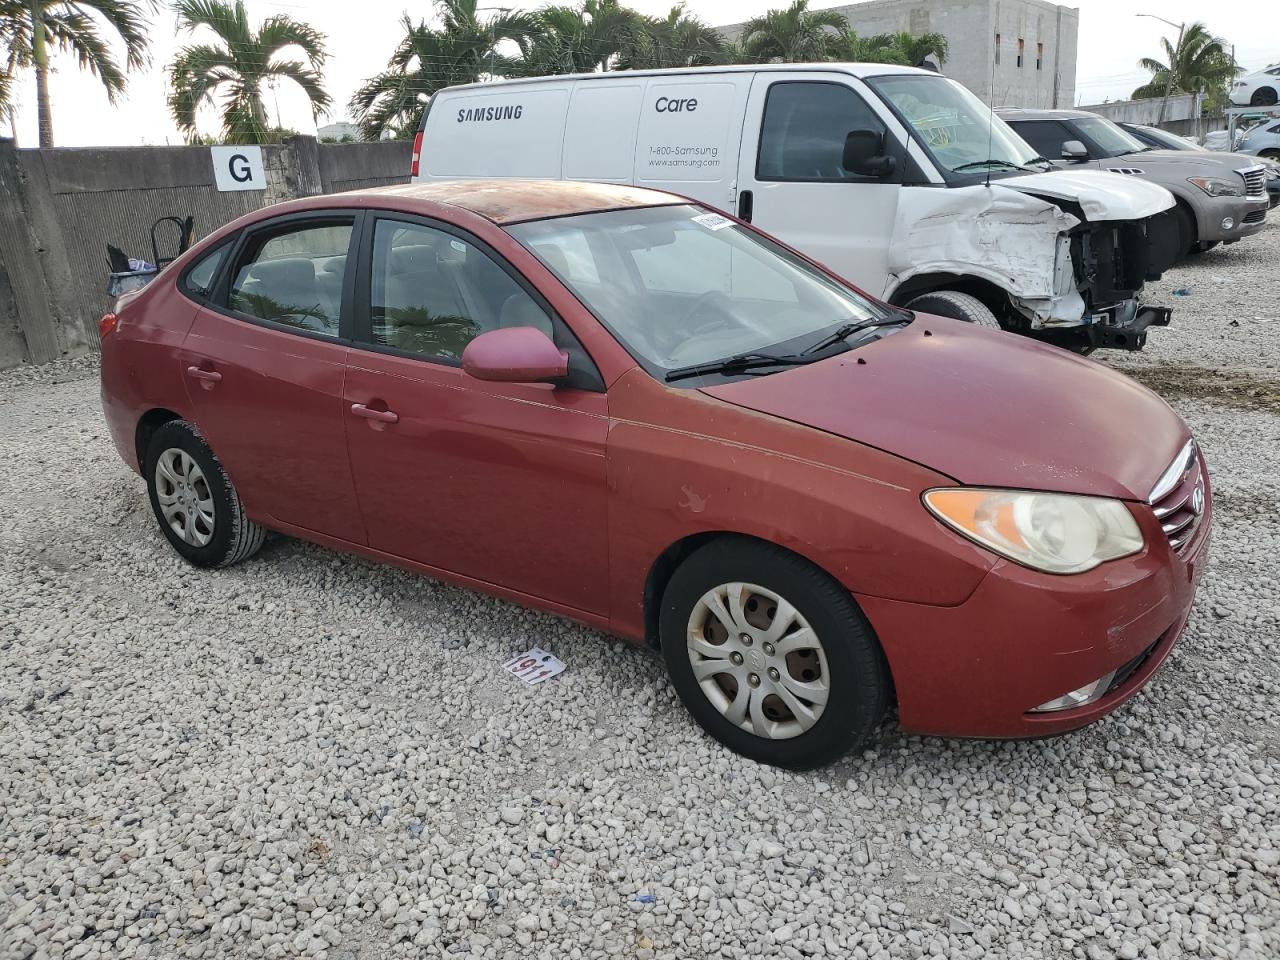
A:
(61, 208)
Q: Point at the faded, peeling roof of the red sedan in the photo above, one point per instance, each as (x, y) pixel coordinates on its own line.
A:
(514, 202)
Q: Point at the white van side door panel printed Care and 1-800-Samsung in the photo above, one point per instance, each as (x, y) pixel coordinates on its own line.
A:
(691, 134)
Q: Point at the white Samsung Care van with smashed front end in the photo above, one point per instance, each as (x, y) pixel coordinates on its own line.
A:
(897, 179)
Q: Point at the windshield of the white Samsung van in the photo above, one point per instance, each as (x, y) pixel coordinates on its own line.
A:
(957, 129)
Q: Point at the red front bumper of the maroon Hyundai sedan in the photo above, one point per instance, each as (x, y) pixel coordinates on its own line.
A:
(1026, 638)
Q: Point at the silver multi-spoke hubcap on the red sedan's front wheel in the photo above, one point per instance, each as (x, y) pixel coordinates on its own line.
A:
(758, 661)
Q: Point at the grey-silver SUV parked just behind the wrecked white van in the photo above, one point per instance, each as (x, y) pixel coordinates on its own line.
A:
(1219, 199)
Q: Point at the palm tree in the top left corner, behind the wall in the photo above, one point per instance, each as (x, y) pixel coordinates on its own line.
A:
(30, 29)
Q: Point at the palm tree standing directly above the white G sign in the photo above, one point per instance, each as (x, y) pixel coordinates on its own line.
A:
(240, 66)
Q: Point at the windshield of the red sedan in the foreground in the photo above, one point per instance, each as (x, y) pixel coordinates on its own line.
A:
(682, 286)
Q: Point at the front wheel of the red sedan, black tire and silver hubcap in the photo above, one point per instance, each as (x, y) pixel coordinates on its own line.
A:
(845, 660)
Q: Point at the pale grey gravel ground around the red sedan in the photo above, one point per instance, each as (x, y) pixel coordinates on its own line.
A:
(314, 756)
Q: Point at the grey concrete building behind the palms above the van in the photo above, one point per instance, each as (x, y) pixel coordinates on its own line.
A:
(1011, 53)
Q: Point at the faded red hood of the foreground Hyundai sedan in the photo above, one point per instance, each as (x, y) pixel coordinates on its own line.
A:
(985, 408)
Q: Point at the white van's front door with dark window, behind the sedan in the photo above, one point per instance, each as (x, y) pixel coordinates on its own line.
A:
(792, 181)
